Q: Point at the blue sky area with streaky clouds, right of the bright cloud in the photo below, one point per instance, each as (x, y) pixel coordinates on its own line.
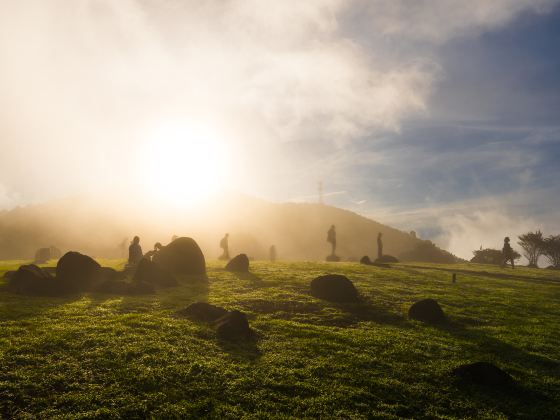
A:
(487, 148)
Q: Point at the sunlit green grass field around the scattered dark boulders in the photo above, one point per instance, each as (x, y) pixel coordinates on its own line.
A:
(104, 356)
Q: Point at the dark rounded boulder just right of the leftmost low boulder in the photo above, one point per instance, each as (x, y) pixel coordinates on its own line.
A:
(77, 272)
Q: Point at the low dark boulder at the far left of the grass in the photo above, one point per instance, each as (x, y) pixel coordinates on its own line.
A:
(31, 280)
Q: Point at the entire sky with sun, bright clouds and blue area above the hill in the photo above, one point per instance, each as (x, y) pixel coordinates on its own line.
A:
(439, 116)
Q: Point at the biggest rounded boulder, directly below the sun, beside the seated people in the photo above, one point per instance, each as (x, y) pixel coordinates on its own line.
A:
(181, 257)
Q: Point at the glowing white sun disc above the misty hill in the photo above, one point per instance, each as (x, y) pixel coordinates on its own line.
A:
(184, 163)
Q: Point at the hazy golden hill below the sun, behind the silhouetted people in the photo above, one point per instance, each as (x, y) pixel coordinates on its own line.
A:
(298, 230)
